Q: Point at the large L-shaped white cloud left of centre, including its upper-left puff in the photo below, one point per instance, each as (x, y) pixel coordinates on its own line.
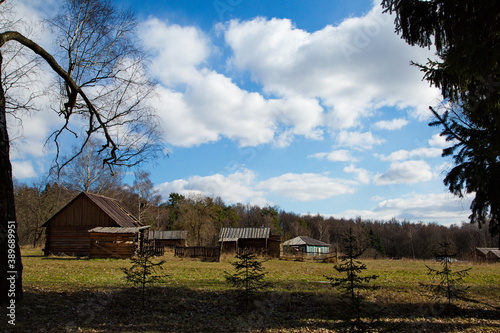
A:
(210, 105)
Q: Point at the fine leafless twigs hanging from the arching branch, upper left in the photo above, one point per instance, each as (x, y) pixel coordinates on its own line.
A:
(100, 53)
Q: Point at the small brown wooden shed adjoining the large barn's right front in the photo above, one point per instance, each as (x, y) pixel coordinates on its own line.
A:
(115, 242)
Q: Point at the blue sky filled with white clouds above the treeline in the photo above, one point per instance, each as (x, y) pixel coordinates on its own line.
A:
(308, 105)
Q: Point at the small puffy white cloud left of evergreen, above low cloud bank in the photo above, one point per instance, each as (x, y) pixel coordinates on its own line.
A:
(407, 172)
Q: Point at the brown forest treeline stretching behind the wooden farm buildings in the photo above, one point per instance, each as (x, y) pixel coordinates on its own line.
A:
(204, 216)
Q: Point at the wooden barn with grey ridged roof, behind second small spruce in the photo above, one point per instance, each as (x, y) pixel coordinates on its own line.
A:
(258, 240)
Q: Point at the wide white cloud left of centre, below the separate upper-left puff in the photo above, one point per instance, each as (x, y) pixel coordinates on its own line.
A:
(214, 107)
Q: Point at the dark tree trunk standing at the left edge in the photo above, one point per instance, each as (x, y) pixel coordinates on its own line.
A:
(10, 255)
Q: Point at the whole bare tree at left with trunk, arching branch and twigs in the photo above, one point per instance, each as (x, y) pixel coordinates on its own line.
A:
(103, 85)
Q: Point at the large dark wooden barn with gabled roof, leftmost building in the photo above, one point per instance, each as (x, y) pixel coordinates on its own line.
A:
(67, 232)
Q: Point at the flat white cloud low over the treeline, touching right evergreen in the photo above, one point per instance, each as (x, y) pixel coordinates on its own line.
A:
(432, 207)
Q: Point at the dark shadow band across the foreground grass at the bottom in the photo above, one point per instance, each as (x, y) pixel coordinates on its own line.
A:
(179, 309)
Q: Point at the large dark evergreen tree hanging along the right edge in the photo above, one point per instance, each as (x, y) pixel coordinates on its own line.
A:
(465, 36)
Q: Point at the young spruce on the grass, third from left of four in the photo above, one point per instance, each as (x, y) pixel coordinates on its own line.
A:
(352, 284)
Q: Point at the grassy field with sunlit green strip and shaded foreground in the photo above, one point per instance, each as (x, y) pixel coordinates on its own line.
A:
(66, 294)
